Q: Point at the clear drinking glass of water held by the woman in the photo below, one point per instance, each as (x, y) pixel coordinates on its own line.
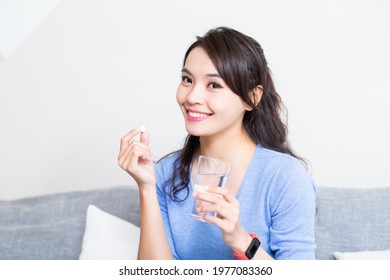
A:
(211, 172)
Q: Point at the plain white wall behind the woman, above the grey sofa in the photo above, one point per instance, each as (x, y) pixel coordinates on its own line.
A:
(92, 70)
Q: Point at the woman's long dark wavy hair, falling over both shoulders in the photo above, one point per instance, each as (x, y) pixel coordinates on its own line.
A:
(240, 61)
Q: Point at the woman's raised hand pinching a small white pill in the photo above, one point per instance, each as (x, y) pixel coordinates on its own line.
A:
(135, 158)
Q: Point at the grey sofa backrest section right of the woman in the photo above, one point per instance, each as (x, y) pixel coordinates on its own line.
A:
(352, 220)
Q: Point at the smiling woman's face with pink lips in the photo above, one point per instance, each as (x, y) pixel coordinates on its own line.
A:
(209, 107)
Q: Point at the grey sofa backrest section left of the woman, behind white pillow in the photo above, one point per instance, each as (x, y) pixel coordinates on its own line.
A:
(52, 226)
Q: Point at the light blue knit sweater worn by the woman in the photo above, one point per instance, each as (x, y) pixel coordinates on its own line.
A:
(277, 202)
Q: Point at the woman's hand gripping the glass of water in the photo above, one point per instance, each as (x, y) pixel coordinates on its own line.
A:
(227, 219)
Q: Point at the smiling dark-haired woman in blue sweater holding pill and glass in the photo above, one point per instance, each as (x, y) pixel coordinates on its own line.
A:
(232, 112)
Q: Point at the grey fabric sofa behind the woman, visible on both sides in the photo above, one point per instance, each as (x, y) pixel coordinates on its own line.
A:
(52, 226)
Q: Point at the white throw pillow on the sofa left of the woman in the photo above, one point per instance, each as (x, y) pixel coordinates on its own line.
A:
(107, 237)
